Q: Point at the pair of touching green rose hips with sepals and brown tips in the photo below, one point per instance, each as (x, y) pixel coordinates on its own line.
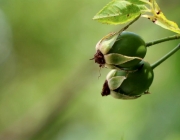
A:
(130, 76)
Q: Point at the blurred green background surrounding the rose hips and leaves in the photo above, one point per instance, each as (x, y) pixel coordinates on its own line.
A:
(49, 89)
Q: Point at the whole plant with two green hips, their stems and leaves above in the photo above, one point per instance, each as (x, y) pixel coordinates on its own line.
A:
(124, 52)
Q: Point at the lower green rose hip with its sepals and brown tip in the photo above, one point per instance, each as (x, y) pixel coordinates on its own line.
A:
(125, 85)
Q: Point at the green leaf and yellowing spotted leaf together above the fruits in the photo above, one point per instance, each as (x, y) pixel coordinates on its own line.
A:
(123, 11)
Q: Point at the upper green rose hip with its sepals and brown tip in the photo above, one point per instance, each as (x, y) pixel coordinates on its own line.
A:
(124, 50)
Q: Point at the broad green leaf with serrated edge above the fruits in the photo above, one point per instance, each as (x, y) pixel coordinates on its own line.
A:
(118, 12)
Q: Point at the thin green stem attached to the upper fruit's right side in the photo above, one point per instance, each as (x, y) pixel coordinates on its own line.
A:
(163, 40)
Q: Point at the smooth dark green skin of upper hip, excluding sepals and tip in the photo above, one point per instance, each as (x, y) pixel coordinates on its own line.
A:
(129, 44)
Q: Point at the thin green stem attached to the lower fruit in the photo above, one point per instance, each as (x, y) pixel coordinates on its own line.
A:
(165, 57)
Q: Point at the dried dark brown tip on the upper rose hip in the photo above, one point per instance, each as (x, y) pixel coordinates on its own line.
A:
(99, 58)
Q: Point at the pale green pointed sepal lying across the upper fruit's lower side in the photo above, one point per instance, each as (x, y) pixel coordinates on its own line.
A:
(117, 59)
